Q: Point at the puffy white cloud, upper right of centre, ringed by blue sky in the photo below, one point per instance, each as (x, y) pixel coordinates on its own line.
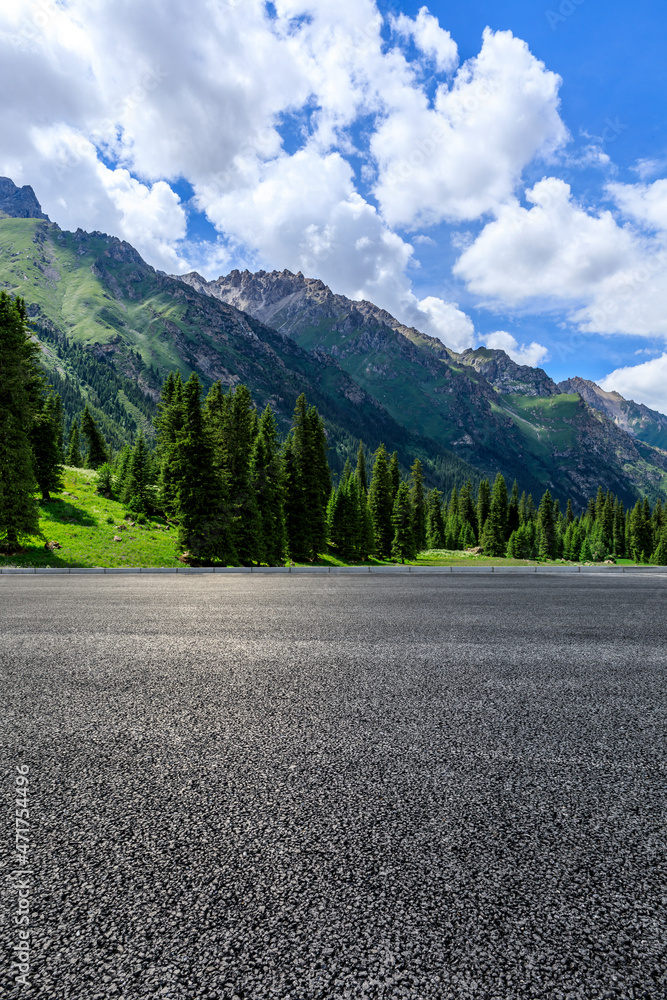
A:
(464, 156)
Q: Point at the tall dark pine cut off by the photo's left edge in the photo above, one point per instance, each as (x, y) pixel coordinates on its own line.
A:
(20, 385)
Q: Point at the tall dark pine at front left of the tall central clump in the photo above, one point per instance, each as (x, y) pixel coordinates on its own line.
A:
(204, 529)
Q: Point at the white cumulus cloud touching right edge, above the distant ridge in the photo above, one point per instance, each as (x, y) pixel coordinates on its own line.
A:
(611, 278)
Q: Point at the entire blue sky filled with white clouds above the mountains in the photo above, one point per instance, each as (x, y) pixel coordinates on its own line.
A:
(489, 172)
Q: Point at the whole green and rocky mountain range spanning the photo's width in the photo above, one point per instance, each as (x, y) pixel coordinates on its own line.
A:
(111, 327)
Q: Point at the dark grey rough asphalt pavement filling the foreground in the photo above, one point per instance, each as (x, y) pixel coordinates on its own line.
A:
(333, 787)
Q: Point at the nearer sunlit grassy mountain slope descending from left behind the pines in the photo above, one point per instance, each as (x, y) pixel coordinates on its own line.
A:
(112, 327)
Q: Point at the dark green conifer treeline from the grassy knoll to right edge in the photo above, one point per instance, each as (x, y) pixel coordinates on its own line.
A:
(238, 496)
